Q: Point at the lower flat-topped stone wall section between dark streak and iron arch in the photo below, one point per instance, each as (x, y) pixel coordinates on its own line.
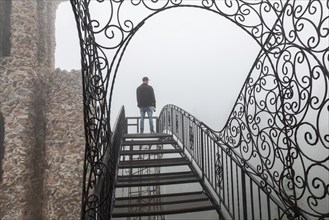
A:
(64, 146)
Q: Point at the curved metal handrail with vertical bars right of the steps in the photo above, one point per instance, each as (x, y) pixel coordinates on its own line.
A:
(242, 193)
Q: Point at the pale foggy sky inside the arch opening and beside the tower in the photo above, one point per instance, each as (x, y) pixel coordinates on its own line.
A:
(195, 59)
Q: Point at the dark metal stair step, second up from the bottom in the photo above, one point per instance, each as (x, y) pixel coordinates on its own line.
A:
(157, 179)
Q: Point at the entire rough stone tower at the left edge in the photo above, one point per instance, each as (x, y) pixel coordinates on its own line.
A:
(42, 151)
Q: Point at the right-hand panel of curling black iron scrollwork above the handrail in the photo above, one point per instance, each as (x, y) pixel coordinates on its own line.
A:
(281, 115)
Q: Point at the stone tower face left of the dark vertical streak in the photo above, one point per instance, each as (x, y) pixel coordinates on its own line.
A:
(17, 74)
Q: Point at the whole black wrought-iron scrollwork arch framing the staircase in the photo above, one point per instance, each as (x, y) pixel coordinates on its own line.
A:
(279, 122)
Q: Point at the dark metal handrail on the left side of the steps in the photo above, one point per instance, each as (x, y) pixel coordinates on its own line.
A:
(99, 202)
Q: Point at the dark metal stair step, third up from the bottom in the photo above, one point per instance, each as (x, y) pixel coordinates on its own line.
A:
(153, 163)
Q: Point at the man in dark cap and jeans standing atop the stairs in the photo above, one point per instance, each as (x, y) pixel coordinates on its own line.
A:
(146, 103)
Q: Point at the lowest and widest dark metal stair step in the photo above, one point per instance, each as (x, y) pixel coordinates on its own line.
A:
(162, 204)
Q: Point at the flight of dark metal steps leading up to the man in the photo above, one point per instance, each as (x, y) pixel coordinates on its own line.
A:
(152, 151)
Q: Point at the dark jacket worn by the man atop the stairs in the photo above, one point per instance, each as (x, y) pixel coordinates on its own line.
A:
(145, 96)
